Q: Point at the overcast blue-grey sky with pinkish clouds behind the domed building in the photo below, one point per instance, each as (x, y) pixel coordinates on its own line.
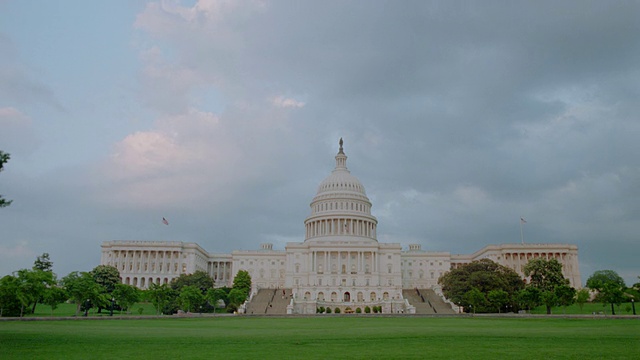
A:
(224, 116)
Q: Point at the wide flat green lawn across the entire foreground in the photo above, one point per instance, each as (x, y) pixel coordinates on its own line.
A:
(322, 337)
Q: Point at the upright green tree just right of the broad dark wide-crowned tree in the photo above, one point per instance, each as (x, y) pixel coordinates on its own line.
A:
(545, 276)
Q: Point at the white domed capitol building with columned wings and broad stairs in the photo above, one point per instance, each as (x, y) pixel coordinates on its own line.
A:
(340, 263)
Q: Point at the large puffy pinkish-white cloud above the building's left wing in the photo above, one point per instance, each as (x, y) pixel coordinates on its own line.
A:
(173, 164)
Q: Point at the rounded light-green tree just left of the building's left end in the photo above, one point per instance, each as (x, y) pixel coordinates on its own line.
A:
(83, 290)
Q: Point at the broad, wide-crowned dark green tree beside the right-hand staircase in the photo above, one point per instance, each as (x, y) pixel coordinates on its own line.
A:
(484, 275)
